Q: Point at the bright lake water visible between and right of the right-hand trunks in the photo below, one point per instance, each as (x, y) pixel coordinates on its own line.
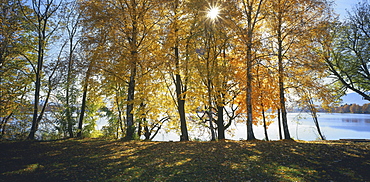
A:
(334, 126)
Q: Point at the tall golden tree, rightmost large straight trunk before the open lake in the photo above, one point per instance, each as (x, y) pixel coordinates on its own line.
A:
(291, 23)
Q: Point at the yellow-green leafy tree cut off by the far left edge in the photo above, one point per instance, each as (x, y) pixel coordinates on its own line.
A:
(14, 69)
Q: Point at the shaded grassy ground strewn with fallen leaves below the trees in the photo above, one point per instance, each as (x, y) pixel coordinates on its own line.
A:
(106, 160)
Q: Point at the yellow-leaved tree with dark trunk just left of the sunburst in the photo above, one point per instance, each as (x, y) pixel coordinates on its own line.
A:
(179, 45)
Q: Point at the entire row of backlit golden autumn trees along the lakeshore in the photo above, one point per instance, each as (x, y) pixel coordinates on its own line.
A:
(145, 65)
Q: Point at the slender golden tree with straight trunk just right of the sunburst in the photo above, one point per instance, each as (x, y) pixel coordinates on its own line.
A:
(247, 28)
